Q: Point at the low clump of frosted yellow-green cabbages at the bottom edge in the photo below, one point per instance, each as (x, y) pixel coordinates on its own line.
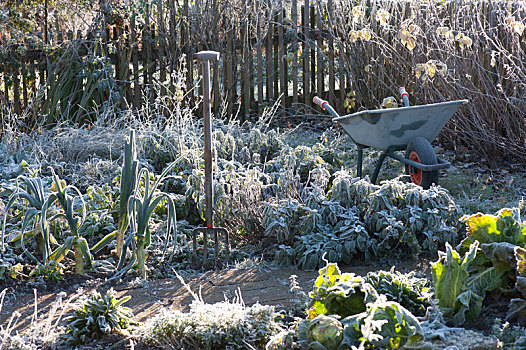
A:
(346, 311)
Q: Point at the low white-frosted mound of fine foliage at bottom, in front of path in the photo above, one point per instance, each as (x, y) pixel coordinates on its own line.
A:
(223, 325)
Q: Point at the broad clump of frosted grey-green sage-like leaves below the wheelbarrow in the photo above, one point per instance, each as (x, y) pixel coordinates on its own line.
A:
(356, 217)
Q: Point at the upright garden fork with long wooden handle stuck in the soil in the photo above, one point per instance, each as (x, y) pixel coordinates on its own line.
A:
(205, 57)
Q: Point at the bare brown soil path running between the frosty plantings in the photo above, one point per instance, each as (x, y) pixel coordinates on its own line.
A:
(269, 286)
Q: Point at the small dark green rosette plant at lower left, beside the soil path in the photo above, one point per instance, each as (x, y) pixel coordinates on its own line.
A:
(99, 315)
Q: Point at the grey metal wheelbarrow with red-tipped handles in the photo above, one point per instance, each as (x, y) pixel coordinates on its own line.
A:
(409, 128)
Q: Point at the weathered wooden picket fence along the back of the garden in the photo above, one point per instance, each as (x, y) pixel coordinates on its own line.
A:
(269, 51)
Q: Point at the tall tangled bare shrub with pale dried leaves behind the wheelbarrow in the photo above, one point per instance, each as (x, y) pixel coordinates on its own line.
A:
(479, 43)
